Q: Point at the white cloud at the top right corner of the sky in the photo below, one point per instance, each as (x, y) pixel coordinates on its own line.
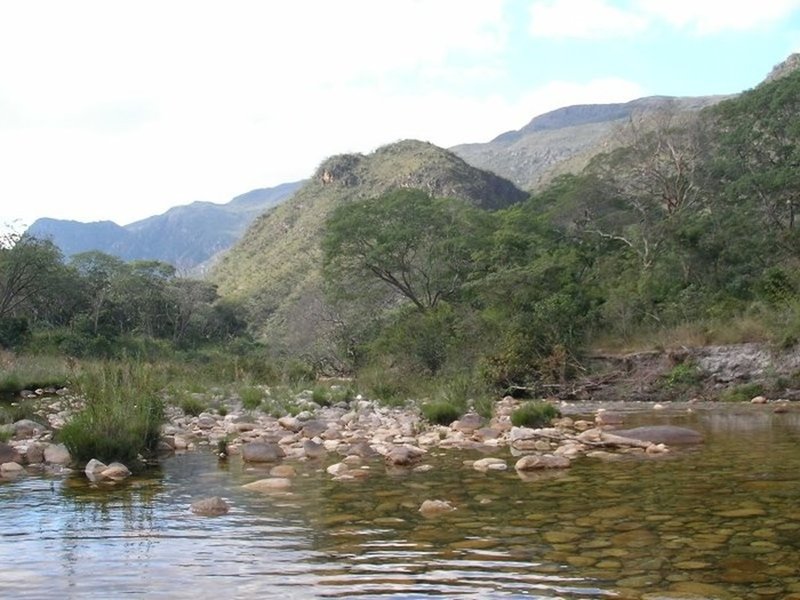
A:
(709, 16)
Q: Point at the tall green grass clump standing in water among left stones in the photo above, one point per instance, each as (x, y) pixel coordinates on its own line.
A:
(122, 414)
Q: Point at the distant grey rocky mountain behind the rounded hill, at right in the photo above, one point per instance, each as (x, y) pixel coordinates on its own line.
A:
(564, 140)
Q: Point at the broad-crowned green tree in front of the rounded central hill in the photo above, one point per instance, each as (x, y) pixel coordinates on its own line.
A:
(418, 246)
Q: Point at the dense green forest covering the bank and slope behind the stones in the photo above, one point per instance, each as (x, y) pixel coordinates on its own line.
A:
(686, 234)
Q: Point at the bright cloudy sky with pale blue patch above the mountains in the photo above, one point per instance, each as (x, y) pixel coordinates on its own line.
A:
(118, 110)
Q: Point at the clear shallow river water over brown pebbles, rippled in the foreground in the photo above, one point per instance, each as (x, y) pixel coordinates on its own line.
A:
(719, 520)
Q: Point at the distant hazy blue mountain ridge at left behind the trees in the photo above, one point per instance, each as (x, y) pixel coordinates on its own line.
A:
(187, 237)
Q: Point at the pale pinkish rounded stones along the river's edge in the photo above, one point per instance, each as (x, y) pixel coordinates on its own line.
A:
(344, 436)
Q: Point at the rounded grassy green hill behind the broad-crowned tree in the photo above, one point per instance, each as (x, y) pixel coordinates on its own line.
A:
(275, 267)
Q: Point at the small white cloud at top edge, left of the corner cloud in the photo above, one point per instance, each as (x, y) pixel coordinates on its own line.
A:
(588, 19)
